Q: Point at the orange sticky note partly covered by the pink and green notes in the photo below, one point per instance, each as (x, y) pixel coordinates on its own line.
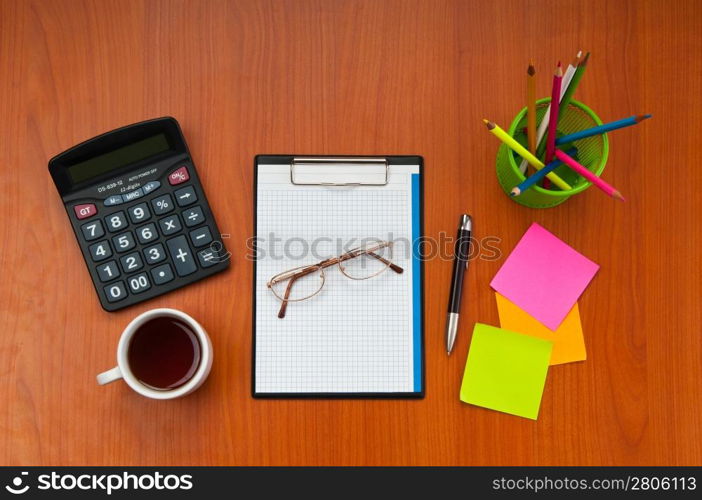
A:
(568, 341)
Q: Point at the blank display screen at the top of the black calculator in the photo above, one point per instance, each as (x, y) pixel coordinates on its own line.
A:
(107, 162)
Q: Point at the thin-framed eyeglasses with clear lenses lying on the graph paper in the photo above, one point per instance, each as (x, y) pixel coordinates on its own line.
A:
(360, 263)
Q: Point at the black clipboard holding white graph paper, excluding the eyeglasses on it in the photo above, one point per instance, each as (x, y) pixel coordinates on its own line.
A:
(360, 339)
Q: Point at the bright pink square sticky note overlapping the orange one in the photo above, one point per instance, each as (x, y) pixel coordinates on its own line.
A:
(544, 276)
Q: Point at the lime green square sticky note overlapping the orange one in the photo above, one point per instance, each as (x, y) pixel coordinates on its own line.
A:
(506, 371)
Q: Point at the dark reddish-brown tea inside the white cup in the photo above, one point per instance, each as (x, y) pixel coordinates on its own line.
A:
(164, 353)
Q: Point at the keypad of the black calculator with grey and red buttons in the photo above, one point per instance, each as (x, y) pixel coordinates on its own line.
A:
(152, 239)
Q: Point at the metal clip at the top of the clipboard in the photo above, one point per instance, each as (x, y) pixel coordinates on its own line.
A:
(339, 171)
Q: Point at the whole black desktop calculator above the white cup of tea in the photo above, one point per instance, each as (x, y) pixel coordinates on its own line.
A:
(139, 212)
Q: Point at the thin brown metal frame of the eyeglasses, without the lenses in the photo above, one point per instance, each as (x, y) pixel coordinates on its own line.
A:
(299, 272)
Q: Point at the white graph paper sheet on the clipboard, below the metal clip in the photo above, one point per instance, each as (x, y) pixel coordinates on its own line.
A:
(354, 336)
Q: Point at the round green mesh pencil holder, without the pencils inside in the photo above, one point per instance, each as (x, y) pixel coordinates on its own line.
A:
(592, 154)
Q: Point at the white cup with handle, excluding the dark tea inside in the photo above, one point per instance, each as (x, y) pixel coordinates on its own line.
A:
(122, 369)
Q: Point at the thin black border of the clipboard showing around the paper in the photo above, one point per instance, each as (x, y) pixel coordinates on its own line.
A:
(266, 159)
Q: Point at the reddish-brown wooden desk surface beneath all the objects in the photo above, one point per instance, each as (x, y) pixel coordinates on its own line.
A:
(356, 77)
